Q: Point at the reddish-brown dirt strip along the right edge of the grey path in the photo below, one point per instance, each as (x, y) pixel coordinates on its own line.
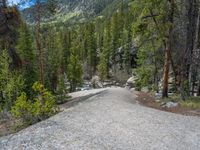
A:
(148, 100)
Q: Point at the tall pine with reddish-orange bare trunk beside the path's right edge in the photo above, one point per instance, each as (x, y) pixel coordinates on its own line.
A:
(156, 24)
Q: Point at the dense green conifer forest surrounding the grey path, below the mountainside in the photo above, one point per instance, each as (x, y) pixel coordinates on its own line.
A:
(155, 41)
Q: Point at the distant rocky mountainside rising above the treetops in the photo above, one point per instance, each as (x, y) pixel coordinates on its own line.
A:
(75, 10)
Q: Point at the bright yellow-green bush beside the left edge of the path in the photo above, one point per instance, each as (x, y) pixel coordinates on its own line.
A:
(32, 111)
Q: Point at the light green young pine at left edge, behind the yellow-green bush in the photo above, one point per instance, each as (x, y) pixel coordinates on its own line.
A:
(11, 83)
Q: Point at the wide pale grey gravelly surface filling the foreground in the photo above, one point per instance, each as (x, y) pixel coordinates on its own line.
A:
(110, 120)
